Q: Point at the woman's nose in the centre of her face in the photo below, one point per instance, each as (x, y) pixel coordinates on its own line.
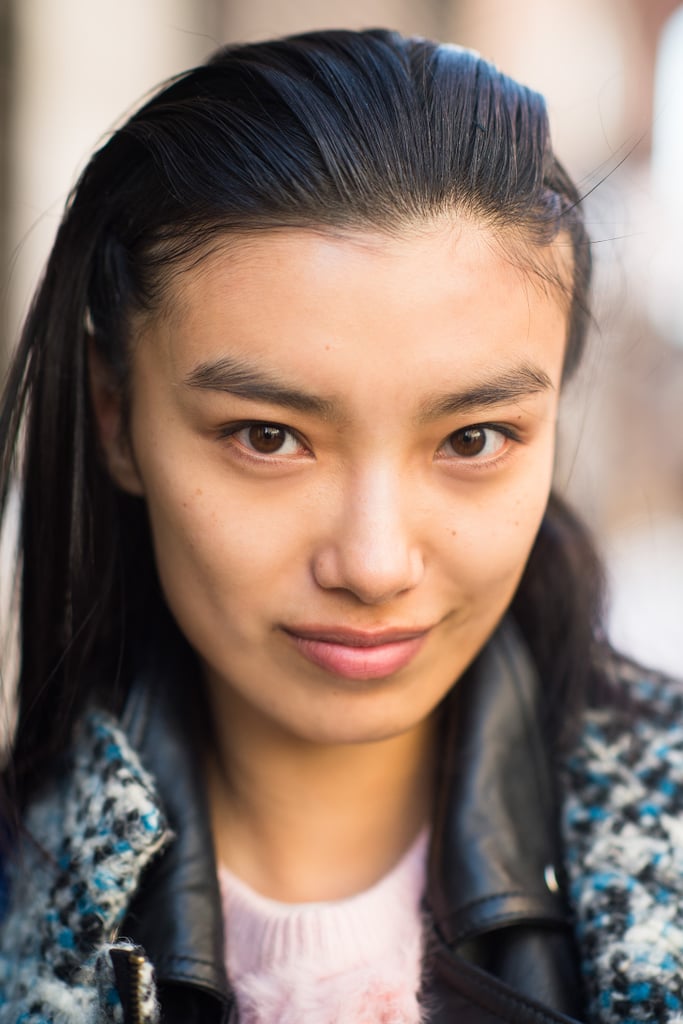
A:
(371, 549)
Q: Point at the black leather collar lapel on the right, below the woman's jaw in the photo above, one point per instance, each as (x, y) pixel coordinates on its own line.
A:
(495, 855)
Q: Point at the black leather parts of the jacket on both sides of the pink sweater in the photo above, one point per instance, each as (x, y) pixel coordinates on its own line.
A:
(501, 948)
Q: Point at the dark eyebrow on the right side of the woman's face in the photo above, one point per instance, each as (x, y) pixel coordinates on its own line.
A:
(508, 387)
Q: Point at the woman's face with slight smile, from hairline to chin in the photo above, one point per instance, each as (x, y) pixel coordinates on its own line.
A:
(346, 445)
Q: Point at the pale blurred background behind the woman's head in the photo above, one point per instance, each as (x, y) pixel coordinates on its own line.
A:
(613, 73)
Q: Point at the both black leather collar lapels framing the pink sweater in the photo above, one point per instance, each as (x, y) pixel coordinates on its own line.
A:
(494, 847)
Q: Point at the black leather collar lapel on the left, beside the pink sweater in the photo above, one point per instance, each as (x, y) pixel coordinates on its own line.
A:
(178, 916)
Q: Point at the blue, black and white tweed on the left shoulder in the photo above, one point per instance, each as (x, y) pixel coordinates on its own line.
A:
(89, 839)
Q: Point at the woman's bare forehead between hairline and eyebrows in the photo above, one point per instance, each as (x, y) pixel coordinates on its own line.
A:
(445, 294)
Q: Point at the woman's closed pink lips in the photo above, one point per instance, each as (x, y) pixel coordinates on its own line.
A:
(359, 654)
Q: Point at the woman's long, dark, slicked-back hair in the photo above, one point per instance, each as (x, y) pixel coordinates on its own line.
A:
(326, 130)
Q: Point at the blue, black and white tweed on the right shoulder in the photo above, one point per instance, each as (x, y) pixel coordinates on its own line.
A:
(624, 835)
